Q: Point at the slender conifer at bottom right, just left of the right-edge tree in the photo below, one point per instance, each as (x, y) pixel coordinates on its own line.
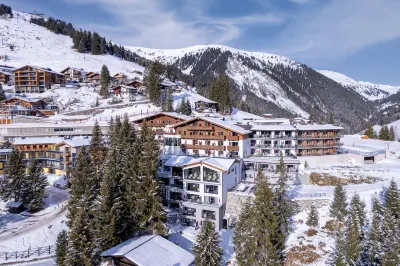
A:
(375, 241)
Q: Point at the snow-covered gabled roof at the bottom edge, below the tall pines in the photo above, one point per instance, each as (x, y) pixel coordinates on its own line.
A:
(151, 250)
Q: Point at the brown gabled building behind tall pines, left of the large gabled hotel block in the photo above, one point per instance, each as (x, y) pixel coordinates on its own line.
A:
(161, 123)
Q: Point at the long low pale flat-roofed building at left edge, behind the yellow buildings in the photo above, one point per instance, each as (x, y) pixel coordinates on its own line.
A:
(19, 130)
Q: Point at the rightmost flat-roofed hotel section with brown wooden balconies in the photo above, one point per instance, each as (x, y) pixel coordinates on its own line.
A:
(315, 140)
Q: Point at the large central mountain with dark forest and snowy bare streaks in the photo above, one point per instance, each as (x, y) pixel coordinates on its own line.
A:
(270, 83)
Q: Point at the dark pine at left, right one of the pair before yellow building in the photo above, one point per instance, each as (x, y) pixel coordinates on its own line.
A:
(37, 183)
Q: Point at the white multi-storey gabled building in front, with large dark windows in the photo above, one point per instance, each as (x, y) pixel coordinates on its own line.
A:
(198, 186)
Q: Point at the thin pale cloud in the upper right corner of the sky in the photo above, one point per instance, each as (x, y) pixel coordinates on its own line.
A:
(340, 28)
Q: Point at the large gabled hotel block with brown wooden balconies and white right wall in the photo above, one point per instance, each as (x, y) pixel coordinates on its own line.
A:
(206, 136)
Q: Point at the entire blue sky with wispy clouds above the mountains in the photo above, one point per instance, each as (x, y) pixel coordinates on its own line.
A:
(359, 38)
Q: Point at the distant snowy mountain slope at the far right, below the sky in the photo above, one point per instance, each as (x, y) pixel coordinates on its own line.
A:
(368, 90)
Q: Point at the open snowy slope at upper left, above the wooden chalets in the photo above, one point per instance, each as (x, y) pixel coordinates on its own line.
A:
(38, 46)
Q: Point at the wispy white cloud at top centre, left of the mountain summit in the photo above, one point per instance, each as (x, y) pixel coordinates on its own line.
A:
(151, 23)
